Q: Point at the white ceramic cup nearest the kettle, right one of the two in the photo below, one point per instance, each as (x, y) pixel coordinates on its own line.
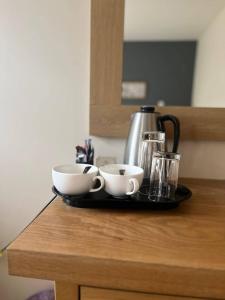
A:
(121, 185)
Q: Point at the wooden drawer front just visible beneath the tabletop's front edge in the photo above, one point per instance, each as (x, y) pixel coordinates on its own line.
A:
(88, 293)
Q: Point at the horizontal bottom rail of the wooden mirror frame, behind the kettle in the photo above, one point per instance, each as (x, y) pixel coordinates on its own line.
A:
(197, 123)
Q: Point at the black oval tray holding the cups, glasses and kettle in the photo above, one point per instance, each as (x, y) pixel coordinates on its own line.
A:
(137, 201)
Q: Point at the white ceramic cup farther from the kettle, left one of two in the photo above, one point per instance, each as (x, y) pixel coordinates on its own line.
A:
(70, 180)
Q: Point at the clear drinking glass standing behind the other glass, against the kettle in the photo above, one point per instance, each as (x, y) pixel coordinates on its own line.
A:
(152, 141)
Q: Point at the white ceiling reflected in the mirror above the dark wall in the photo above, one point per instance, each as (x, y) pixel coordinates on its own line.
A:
(169, 19)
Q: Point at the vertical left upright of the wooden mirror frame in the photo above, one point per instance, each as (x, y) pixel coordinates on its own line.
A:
(107, 19)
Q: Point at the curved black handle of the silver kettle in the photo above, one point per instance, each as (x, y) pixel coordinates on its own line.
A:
(176, 129)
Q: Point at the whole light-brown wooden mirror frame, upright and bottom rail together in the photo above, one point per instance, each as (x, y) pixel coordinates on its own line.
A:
(108, 117)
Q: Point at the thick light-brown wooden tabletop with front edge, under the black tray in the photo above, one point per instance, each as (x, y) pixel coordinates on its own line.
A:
(177, 252)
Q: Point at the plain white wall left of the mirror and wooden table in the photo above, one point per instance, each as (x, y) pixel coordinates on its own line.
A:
(44, 91)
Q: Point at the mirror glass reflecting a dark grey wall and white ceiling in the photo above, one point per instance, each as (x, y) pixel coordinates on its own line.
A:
(174, 53)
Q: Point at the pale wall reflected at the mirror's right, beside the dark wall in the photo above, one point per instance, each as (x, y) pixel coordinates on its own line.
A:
(209, 80)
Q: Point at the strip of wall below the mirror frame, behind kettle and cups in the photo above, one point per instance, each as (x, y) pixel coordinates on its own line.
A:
(198, 159)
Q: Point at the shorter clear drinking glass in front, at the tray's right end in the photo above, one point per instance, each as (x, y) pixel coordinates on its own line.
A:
(164, 175)
